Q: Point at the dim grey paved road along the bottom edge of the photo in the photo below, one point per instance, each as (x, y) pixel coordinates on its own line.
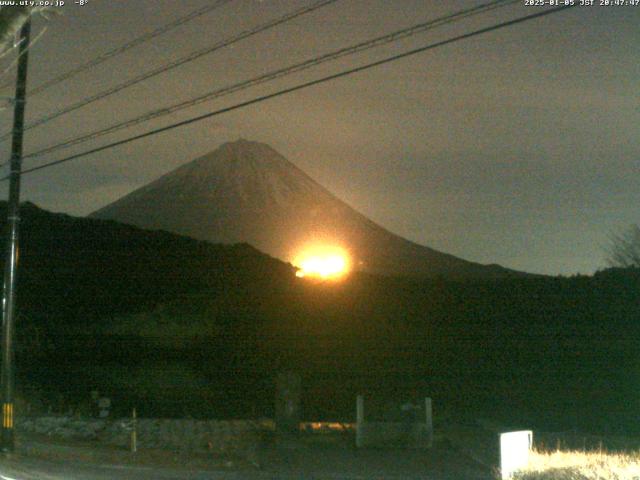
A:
(283, 464)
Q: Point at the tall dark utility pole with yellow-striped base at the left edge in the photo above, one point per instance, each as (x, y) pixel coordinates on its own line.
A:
(7, 377)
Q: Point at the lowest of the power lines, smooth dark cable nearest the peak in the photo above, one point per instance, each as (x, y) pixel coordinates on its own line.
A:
(299, 87)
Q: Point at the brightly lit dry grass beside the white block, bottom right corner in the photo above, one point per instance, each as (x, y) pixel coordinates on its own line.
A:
(581, 466)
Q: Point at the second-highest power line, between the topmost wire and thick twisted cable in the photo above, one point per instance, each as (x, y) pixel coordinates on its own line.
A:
(177, 63)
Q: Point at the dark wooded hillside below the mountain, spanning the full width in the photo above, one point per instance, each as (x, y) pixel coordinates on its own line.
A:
(178, 327)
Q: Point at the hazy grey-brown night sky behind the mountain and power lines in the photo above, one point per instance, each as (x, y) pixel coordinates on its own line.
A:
(519, 147)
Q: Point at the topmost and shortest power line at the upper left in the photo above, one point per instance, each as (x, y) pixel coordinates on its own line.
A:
(123, 48)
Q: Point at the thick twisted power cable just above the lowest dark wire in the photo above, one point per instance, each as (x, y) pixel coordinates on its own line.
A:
(279, 73)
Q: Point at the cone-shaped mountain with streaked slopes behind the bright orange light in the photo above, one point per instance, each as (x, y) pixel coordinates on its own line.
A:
(247, 192)
